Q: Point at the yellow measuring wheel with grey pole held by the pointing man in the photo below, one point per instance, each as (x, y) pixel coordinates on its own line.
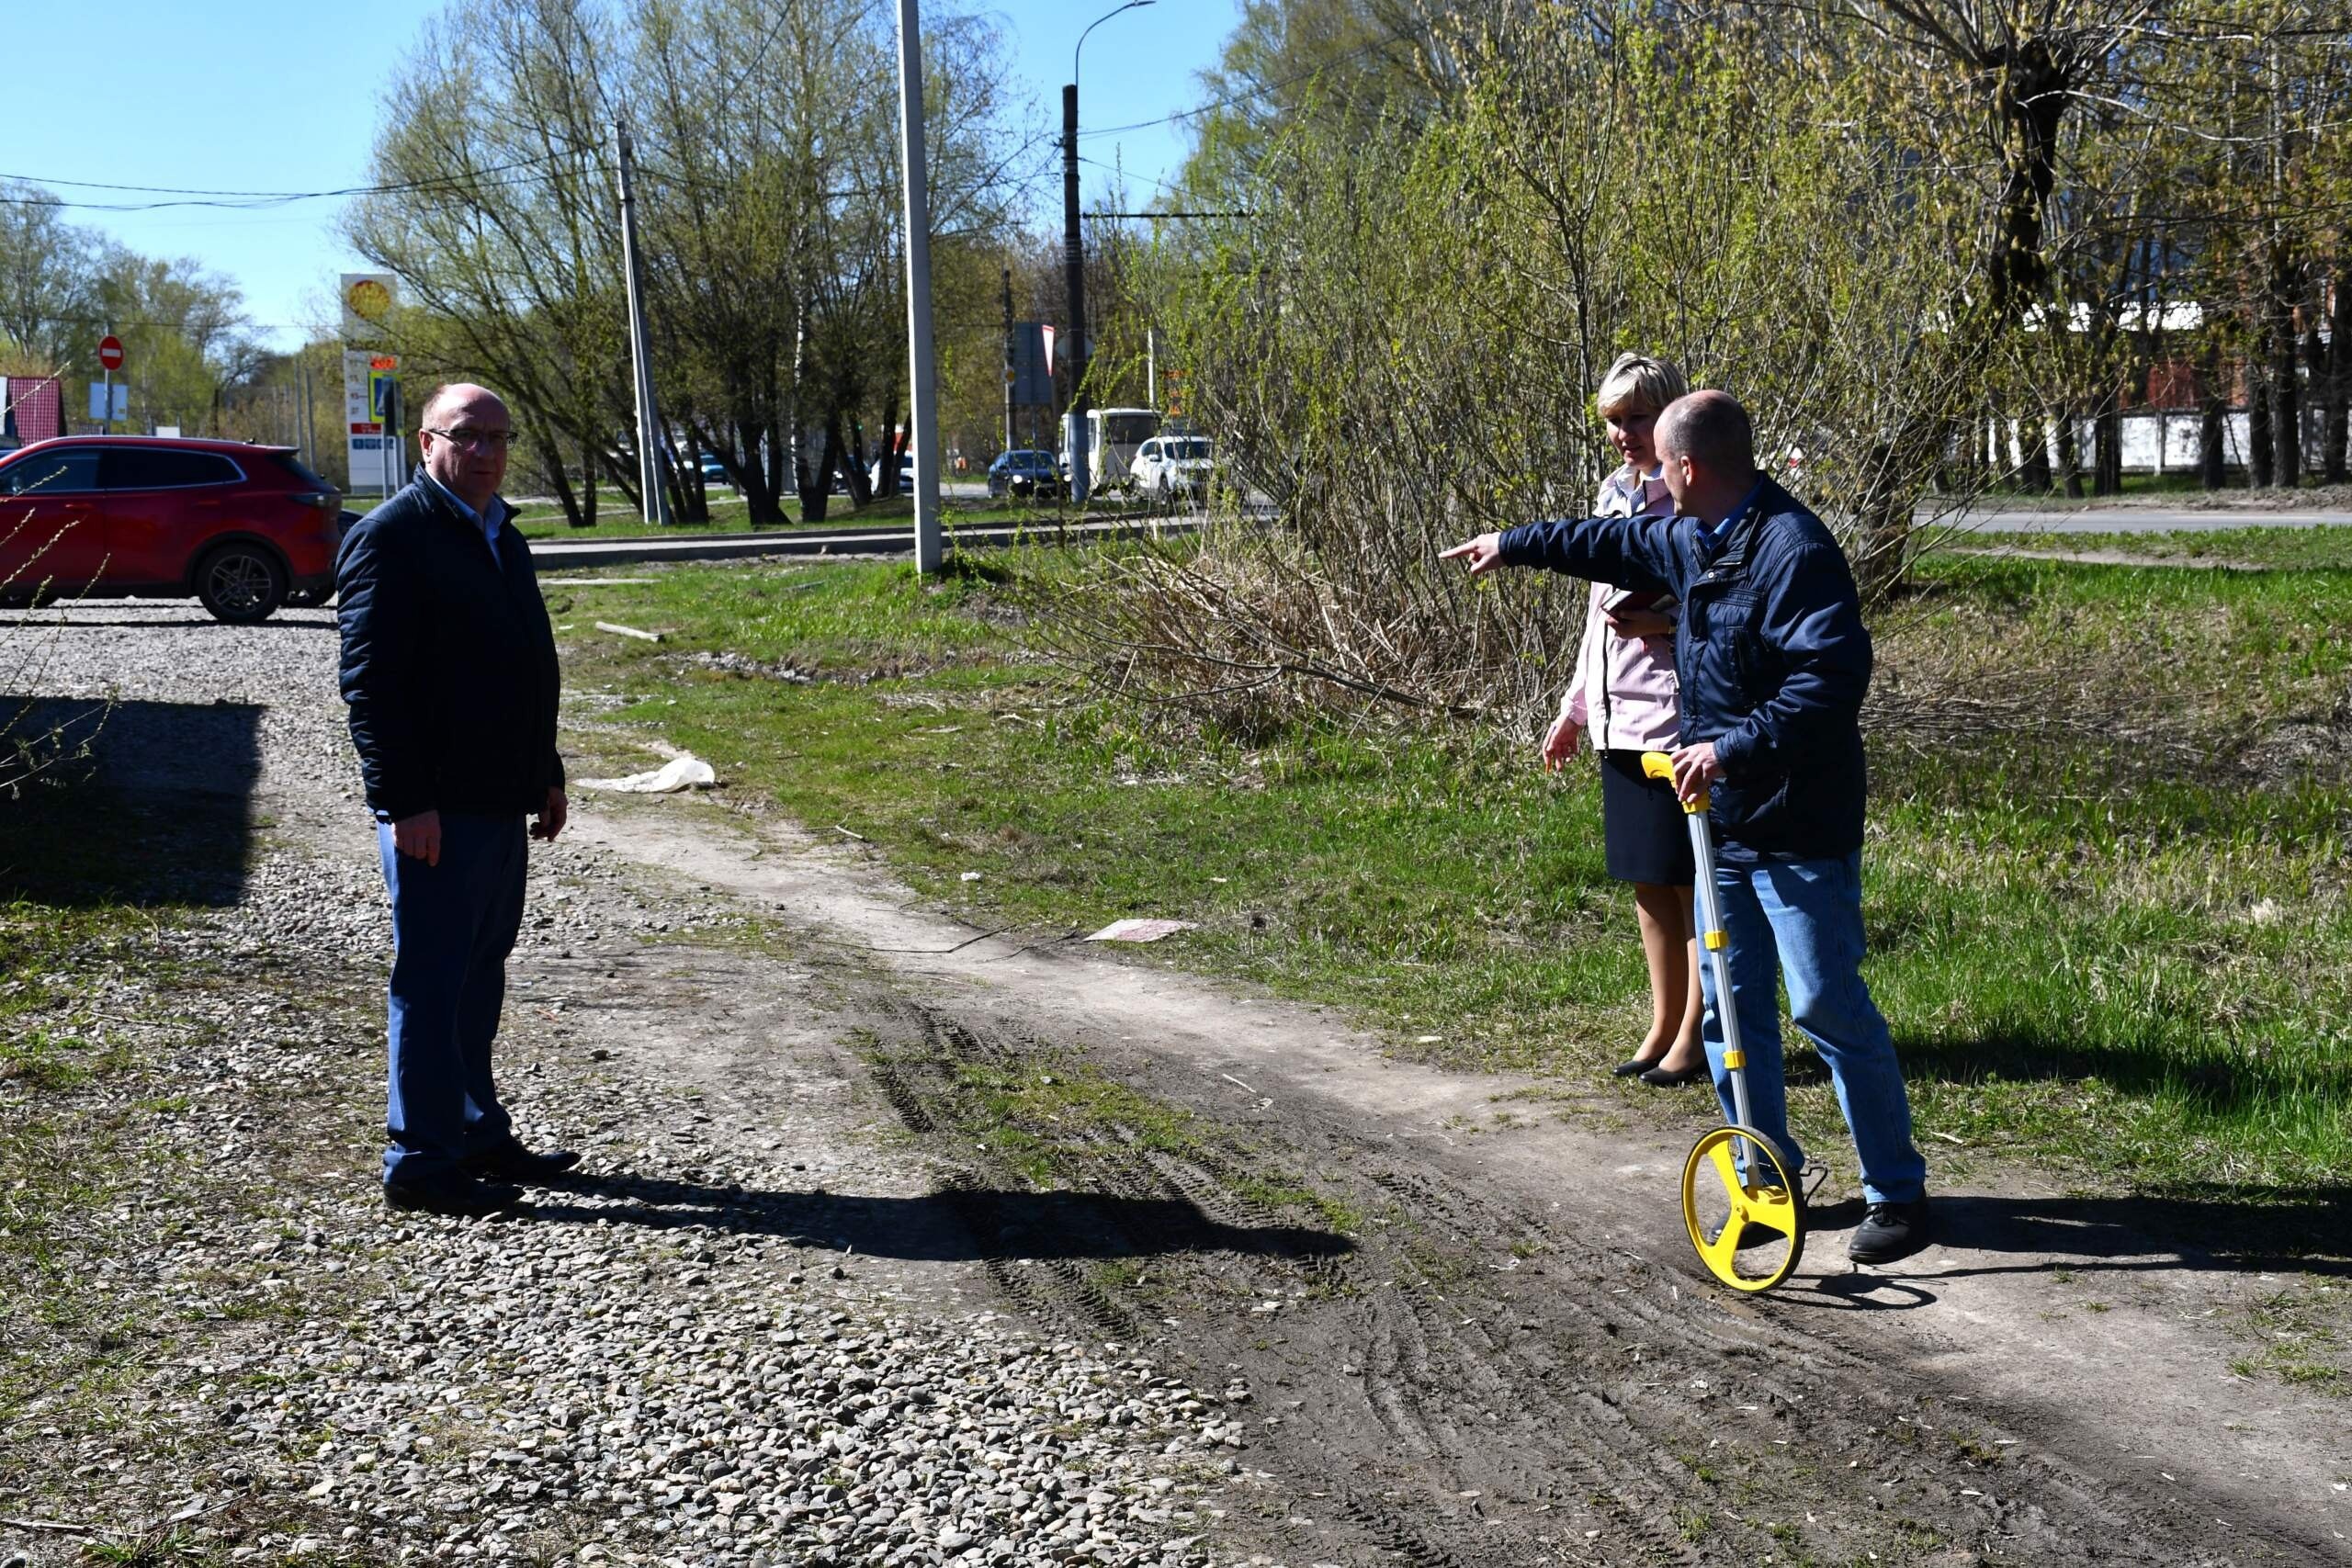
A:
(1739, 1200)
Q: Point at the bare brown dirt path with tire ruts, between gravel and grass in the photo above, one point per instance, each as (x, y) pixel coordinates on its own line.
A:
(1516, 1355)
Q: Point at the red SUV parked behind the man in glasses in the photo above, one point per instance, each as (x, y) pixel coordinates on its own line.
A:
(145, 516)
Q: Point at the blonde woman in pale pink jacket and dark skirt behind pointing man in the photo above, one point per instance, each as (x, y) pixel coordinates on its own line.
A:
(1624, 699)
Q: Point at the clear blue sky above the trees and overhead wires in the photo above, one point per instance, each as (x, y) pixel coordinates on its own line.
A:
(272, 95)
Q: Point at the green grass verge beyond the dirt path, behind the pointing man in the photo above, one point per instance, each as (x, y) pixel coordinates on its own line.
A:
(2094, 953)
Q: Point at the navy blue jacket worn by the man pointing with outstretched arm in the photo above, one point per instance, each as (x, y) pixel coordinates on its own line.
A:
(1770, 657)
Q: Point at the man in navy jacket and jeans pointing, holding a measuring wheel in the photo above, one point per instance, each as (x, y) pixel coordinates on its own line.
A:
(1772, 666)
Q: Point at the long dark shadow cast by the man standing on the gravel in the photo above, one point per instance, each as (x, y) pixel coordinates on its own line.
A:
(949, 1226)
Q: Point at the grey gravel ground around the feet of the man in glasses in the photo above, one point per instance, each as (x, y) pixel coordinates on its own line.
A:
(234, 1353)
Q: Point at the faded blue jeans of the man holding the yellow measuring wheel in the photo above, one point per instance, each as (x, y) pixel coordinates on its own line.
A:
(1805, 920)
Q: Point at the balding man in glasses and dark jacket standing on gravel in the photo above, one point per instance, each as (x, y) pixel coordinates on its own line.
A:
(450, 678)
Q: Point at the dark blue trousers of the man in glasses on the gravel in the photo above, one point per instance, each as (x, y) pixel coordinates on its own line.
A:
(453, 927)
